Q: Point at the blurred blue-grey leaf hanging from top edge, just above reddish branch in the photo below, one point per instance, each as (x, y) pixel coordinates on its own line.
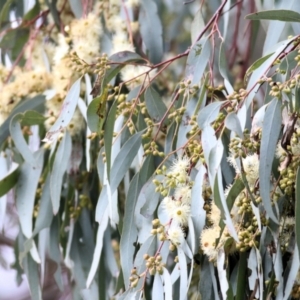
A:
(151, 30)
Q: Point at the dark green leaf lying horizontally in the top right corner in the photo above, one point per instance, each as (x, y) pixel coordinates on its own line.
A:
(276, 14)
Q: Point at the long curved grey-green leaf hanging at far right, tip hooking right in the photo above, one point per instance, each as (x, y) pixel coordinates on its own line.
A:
(270, 133)
